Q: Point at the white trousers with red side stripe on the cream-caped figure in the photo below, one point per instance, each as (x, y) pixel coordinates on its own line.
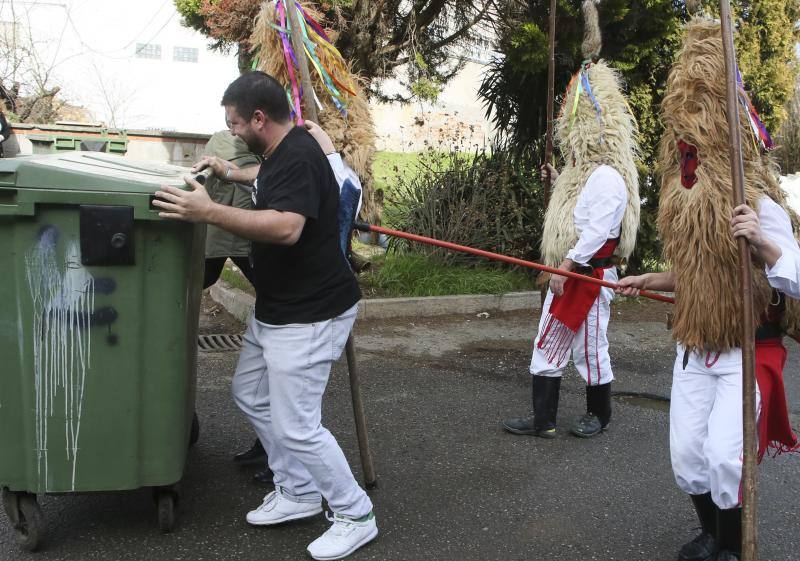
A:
(589, 347)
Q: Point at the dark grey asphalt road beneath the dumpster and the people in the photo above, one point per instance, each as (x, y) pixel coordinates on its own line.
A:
(452, 484)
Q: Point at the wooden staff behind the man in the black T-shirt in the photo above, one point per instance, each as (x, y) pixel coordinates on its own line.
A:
(310, 107)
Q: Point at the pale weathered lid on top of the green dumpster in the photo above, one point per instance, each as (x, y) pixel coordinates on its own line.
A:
(89, 171)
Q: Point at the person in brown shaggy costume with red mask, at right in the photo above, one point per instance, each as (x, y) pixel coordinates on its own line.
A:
(698, 226)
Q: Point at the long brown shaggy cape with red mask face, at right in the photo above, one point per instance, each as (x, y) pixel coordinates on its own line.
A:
(695, 223)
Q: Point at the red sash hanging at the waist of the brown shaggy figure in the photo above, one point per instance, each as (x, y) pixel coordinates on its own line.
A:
(775, 434)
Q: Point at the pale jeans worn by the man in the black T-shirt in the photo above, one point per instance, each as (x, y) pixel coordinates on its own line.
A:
(282, 374)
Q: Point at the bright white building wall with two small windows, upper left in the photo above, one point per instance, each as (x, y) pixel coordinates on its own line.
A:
(91, 46)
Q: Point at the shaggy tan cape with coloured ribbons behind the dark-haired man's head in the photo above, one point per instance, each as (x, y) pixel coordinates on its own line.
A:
(352, 134)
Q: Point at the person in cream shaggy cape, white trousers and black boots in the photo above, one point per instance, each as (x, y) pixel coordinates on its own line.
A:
(590, 224)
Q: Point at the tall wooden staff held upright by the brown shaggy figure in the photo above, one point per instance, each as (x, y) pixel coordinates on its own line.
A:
(749, 518)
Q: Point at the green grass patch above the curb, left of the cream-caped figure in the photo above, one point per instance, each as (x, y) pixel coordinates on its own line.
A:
(413, 274)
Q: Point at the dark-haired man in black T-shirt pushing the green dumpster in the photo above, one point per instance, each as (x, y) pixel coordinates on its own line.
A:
(306, 303)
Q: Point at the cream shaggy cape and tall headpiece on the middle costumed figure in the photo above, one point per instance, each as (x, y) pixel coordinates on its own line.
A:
(587, 140)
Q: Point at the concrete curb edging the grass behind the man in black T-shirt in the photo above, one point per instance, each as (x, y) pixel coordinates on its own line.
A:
(240, 304)
